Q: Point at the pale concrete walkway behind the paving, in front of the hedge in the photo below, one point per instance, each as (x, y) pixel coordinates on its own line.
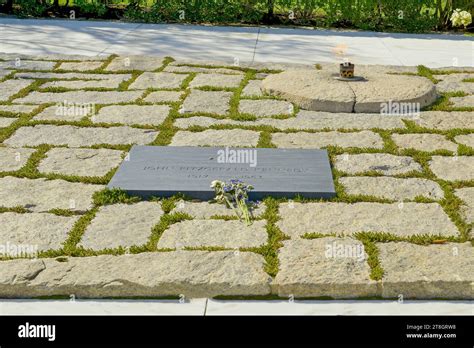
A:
(259, 44)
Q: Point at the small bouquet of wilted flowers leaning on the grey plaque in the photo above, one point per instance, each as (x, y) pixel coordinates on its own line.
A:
(234, 195)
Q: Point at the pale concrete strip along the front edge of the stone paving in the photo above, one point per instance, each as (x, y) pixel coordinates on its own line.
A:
(209, 307)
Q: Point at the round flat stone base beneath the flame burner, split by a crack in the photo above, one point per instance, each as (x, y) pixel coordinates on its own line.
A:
(317, 90)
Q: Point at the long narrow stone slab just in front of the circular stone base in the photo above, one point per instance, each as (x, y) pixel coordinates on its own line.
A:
(305, 120)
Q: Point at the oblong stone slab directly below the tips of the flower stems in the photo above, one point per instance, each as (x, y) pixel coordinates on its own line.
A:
(214, 233)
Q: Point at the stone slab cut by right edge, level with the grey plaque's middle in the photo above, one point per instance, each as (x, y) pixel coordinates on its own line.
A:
(453, 168)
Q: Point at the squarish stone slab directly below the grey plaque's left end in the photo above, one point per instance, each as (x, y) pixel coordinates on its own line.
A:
(121, 225)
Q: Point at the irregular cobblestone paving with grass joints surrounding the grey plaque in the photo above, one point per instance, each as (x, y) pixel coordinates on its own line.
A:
(401, 224)
